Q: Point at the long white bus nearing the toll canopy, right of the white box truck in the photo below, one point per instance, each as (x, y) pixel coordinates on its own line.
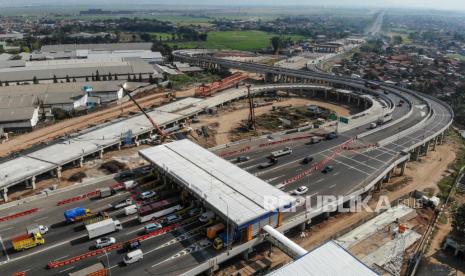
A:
(159, 209)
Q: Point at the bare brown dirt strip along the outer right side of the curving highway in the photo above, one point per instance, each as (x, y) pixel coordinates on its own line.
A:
(423, 174)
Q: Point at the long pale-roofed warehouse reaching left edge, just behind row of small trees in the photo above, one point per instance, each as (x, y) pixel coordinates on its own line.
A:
(75, 69)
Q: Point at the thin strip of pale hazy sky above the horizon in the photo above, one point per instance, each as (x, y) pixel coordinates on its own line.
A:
(423, 4)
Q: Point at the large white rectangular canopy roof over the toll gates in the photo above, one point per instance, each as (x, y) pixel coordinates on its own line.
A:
(232, 192)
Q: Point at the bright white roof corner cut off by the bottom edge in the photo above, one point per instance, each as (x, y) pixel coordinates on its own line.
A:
(328, 259)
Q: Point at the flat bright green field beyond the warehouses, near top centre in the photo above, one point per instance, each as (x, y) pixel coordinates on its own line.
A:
(235, 40)
